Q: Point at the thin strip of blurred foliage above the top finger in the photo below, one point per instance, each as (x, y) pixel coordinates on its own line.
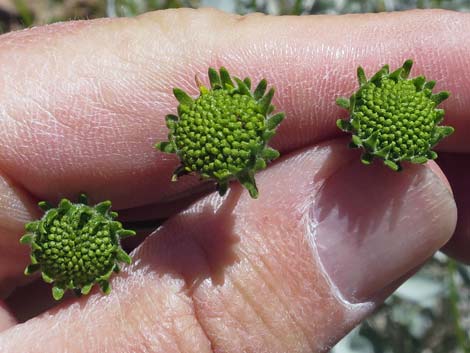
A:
(15, 14)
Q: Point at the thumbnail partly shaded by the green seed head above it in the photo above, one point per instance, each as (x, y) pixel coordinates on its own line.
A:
(371, 225)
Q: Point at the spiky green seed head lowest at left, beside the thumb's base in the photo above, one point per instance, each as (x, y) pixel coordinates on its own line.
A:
(75, 246)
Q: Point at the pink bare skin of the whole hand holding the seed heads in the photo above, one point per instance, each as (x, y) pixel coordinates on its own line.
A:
(328, 240)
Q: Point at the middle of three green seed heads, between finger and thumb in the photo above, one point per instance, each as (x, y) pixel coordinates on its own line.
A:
(223, 134)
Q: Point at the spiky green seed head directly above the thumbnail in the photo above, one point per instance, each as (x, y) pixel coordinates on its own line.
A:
(395, 118)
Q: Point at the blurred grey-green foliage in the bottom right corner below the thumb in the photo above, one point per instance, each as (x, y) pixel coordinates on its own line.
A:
(429, 313)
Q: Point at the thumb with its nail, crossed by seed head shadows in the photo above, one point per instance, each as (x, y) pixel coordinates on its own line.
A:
(290, 272)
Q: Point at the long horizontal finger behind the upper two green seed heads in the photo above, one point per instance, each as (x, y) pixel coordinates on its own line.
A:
(87, 117)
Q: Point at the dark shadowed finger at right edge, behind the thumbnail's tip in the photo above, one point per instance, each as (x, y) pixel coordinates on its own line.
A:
(457, 169)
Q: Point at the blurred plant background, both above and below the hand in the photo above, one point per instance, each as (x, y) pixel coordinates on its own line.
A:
(430, 313)
